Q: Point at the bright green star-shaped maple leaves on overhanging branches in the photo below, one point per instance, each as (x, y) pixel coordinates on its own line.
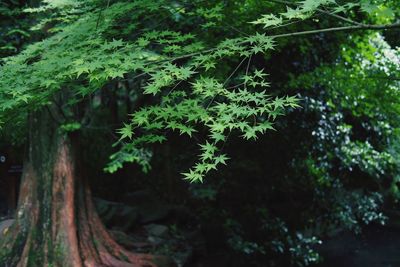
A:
(175, 61)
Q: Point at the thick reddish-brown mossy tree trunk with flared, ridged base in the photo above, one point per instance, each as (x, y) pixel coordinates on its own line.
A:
(56, 223)
